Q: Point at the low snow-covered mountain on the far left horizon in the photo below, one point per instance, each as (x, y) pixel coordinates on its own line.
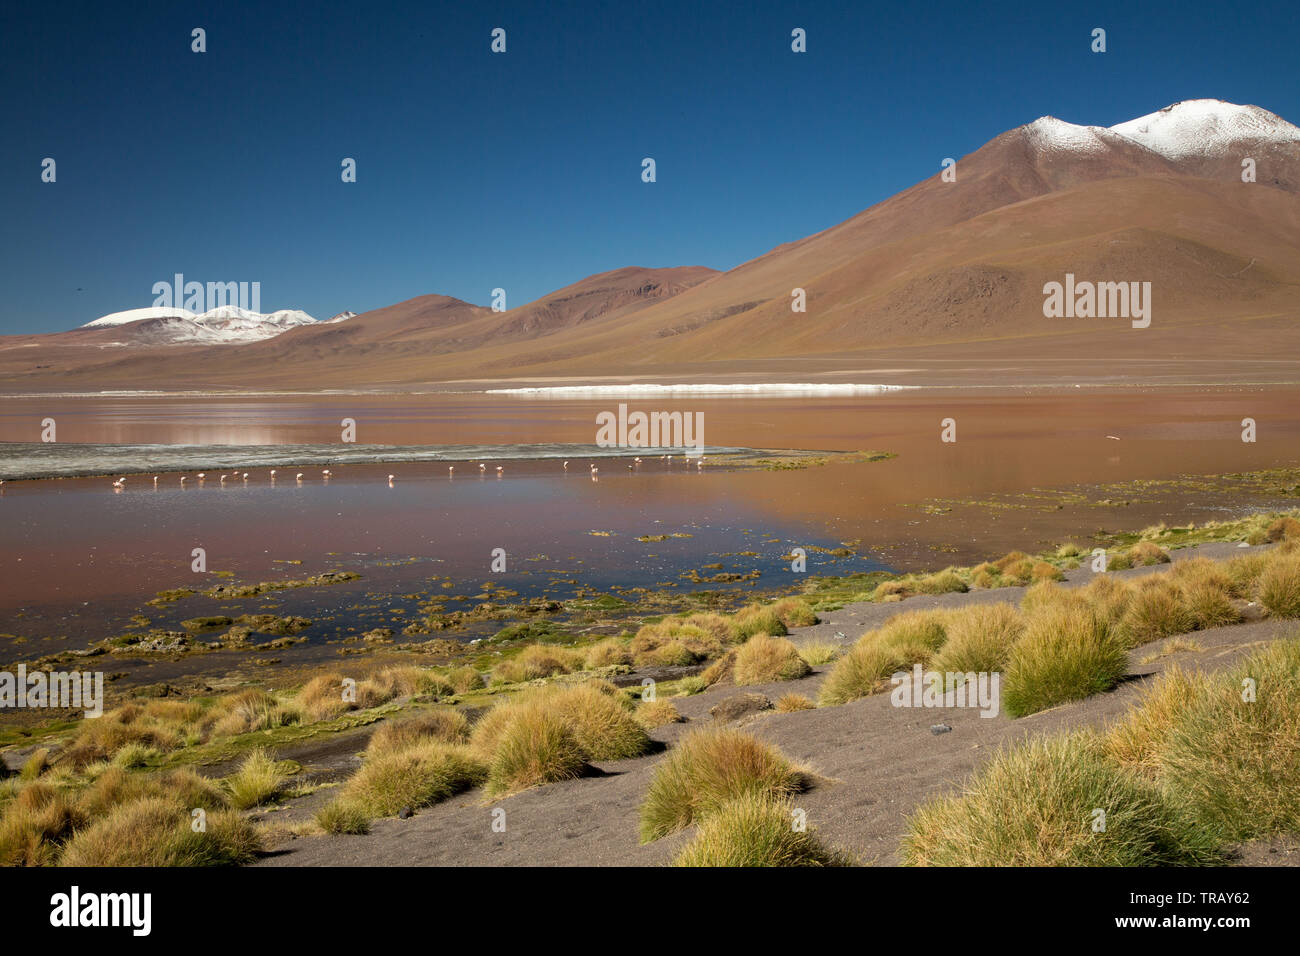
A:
(224, 326)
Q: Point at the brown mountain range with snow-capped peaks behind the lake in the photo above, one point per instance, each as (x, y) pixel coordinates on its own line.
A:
(943, 282)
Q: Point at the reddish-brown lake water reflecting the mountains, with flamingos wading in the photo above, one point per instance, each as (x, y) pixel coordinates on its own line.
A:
(77, 557)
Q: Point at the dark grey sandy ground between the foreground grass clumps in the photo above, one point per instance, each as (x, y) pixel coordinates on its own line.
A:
(878, 764)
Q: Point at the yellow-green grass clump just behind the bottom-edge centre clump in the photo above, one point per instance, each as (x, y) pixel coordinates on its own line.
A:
(708, 769)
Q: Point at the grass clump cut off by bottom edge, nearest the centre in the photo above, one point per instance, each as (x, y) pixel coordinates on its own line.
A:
(756, 830)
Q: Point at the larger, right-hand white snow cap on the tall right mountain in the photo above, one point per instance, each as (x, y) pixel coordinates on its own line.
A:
(1206, 128)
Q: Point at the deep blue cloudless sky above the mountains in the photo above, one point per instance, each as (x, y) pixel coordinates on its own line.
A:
(525, 170)
